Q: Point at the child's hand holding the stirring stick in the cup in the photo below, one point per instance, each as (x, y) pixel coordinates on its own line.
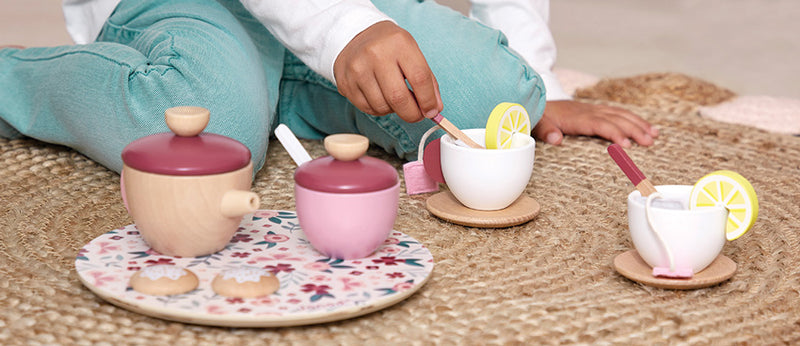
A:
(371, 71)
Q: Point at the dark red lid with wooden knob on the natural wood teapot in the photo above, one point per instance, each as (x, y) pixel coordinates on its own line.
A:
(185, 150)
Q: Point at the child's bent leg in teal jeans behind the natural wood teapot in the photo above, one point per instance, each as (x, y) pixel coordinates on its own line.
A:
(150, 56)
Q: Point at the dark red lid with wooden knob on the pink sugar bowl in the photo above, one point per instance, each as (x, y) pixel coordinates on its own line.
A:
(347, 169)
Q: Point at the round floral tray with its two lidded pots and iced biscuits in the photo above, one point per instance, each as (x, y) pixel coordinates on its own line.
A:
(202, 252)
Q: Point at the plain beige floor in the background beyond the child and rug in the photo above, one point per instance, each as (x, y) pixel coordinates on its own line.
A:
(749, 46)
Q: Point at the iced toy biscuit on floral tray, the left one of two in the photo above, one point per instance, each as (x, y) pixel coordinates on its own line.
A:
(163, 280)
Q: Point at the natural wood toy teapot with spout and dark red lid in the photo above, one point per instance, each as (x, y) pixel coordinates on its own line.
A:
(187, 191)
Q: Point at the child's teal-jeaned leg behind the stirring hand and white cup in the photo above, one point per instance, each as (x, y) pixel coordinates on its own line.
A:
(474, 68)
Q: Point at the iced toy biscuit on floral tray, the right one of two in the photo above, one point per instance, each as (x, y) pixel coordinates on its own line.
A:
(245, 282)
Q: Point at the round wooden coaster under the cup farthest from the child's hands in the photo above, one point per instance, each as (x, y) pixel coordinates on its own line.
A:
(633, 267)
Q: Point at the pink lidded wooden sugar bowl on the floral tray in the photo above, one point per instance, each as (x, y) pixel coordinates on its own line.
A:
(346, 202)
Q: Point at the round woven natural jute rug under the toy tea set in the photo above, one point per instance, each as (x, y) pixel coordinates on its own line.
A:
(548, 281)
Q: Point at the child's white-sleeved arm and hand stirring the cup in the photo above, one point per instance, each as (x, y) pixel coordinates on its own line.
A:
(357, 47)
